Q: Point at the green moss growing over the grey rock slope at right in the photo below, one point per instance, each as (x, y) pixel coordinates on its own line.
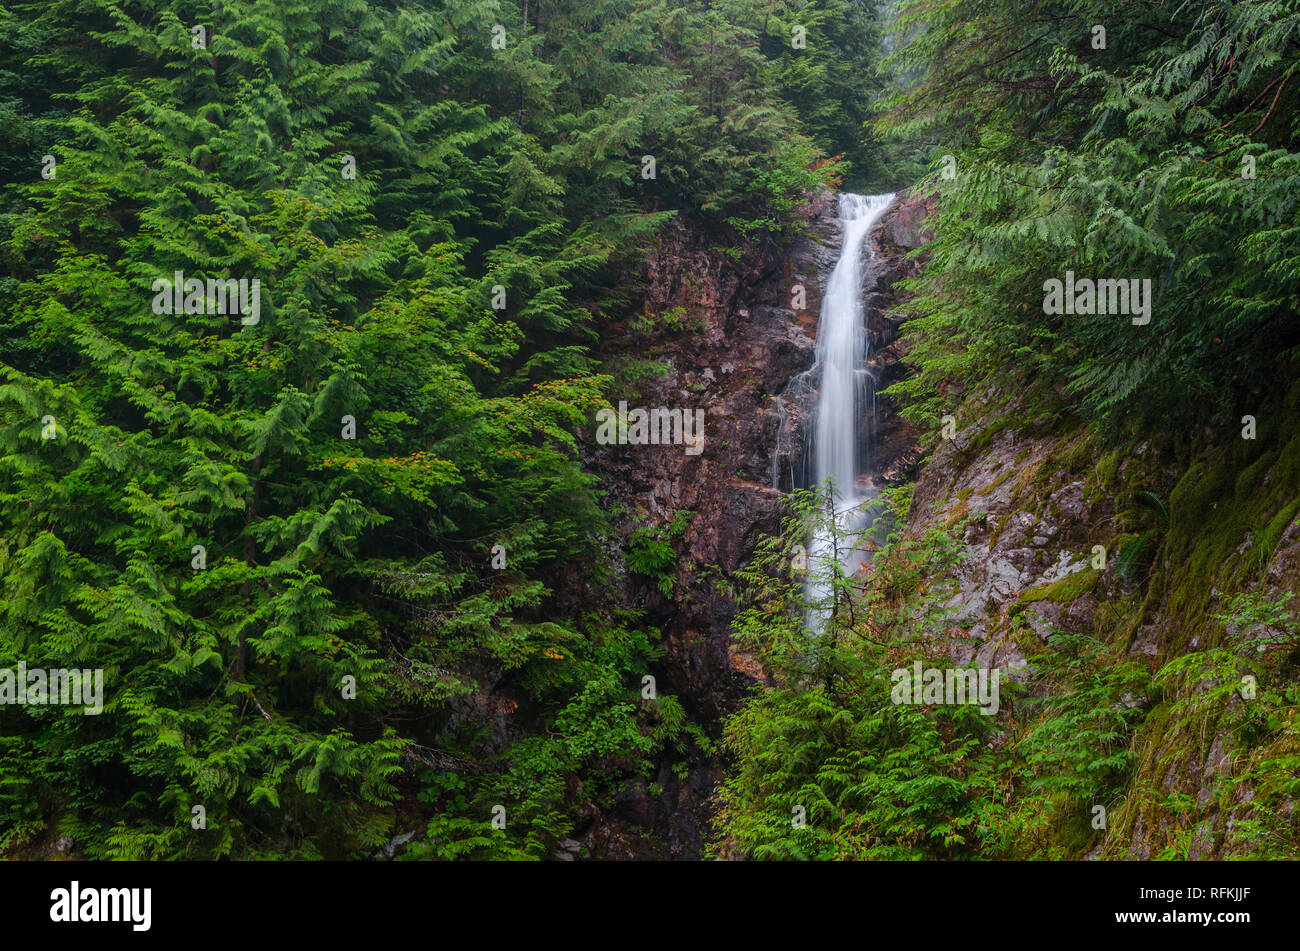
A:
(1234, 492)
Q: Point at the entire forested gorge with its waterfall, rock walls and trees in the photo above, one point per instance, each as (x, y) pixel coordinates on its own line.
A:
(492, 531)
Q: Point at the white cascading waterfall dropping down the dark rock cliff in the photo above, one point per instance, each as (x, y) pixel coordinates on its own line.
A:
(847, 392)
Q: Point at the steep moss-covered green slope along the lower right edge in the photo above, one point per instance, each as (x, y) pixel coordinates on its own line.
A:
(1217, 758)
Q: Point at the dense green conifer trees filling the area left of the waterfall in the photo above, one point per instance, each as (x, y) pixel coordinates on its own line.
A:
(478, 171)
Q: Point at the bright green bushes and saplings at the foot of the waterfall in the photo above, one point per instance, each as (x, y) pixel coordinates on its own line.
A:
(824, 741)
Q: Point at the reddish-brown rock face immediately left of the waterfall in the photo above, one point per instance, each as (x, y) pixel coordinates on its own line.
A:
(743, 341)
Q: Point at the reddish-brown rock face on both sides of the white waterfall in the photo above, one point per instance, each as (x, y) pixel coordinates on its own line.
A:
(729, 336)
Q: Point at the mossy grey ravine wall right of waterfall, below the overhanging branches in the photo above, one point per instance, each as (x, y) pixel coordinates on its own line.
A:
(1032, 492)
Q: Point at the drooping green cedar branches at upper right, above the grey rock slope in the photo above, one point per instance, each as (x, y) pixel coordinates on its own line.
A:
(1116, 163)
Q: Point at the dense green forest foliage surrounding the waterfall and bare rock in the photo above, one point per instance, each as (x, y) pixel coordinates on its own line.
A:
(298, 546)
